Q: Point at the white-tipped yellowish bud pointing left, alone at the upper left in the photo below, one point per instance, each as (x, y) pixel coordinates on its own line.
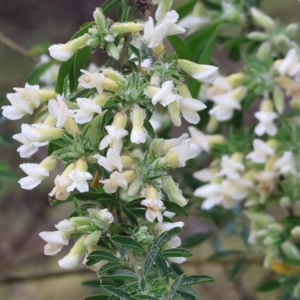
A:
(63, 52)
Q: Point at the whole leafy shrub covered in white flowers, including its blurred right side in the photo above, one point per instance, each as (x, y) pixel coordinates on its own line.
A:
(110, 130)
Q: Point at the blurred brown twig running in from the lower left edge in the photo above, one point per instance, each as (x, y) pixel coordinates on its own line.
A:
(44, 276)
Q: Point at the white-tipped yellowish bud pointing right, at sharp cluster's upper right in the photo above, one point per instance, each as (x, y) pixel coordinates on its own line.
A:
(202, 73)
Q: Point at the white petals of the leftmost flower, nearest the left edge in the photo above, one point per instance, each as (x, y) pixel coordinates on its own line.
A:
(23, 102)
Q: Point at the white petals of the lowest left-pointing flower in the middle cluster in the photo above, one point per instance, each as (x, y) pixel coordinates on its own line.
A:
(36, 173)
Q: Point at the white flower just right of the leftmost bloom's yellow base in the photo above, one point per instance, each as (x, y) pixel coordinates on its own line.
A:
(59, 110)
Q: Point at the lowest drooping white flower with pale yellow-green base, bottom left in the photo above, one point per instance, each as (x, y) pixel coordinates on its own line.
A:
(75, 255)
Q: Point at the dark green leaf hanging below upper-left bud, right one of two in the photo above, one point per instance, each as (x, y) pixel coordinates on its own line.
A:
(80, 59)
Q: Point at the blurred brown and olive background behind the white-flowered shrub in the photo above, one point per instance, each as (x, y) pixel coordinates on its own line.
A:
(23, 214)
